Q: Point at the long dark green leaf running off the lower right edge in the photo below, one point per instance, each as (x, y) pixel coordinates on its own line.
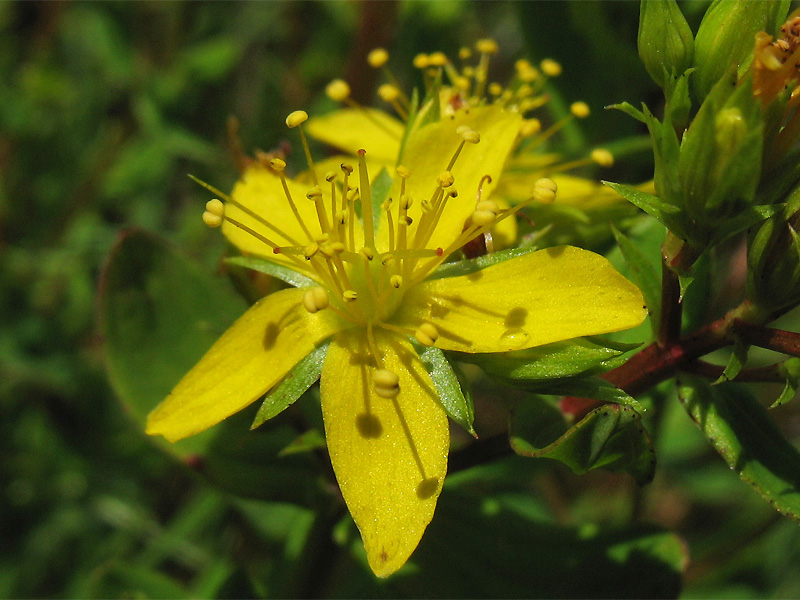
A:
(745, 436)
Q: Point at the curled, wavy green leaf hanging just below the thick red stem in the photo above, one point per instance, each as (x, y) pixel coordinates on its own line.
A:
(611, 437)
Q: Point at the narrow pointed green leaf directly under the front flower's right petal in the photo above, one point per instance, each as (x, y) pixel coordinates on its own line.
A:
(556, 361)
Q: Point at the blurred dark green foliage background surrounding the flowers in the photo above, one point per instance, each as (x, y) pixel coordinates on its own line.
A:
(104, 109)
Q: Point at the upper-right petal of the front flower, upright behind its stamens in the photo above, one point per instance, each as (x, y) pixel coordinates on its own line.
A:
(428, 152)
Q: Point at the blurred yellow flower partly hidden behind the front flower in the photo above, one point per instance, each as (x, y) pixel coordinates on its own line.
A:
(452, 89)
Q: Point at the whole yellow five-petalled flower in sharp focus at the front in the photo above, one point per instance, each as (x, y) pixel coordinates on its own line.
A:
(375, 295)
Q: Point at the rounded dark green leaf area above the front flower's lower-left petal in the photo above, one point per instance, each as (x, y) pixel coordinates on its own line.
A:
(159, 312)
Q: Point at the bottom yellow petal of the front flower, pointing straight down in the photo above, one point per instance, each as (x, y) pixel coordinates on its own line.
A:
(389, 455)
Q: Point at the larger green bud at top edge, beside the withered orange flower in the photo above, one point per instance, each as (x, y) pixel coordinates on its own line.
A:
(726, 37)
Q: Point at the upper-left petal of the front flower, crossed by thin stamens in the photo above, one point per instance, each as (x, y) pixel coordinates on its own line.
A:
(262, 193)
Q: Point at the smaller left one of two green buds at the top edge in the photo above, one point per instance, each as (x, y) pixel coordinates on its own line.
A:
(666, 43)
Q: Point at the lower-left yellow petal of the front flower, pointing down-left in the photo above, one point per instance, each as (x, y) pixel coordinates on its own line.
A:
(249, 358)
